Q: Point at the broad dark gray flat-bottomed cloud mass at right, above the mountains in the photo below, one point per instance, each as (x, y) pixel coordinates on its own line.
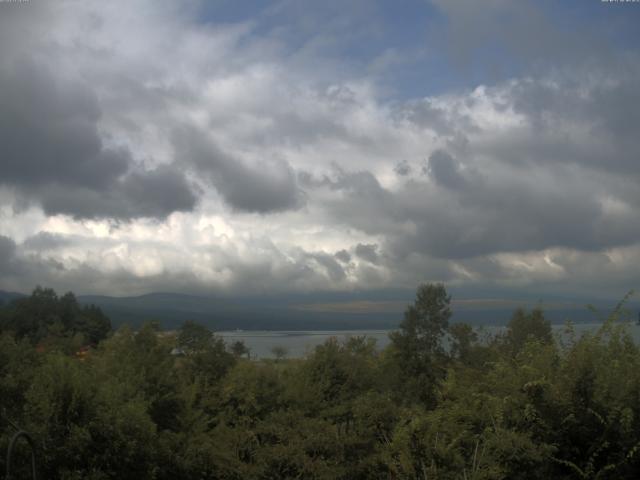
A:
(465, 214)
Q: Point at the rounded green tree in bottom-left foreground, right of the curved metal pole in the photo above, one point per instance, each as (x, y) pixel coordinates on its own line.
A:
(89, 427)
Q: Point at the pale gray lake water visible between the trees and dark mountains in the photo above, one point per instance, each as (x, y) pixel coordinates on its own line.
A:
(300, 343)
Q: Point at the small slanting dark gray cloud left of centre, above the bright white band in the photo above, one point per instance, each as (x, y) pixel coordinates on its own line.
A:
(261, 188)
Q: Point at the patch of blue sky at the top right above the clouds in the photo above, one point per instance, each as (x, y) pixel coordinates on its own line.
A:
(409, 49)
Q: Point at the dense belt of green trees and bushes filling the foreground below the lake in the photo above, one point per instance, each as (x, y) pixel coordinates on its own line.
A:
(141, 404)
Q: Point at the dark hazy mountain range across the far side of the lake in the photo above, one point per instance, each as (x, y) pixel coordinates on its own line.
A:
(323, 312)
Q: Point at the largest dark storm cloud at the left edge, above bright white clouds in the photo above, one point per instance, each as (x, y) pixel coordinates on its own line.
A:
(52, 152)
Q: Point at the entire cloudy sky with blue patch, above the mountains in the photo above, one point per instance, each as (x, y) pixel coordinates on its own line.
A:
(303, 147)
